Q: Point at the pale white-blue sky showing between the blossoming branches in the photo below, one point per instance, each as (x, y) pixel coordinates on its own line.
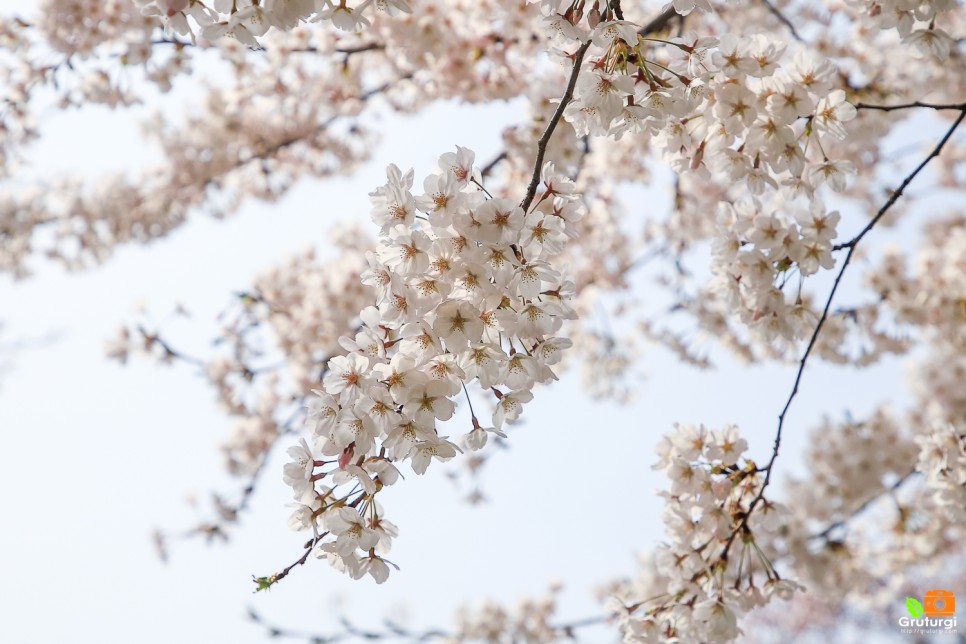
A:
(94, 456)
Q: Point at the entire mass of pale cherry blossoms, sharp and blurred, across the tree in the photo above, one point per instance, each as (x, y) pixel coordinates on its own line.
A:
(424, 342)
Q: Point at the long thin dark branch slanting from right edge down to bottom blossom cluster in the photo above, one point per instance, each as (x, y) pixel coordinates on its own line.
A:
(768, 469)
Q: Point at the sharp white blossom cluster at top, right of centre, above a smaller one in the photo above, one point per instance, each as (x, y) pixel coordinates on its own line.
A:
(729, 107)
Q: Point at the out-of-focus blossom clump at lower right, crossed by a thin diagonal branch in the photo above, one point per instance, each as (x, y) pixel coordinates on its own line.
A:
(862, 517)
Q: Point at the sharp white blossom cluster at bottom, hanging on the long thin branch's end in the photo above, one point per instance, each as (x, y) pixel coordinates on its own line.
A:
(712, 569)
